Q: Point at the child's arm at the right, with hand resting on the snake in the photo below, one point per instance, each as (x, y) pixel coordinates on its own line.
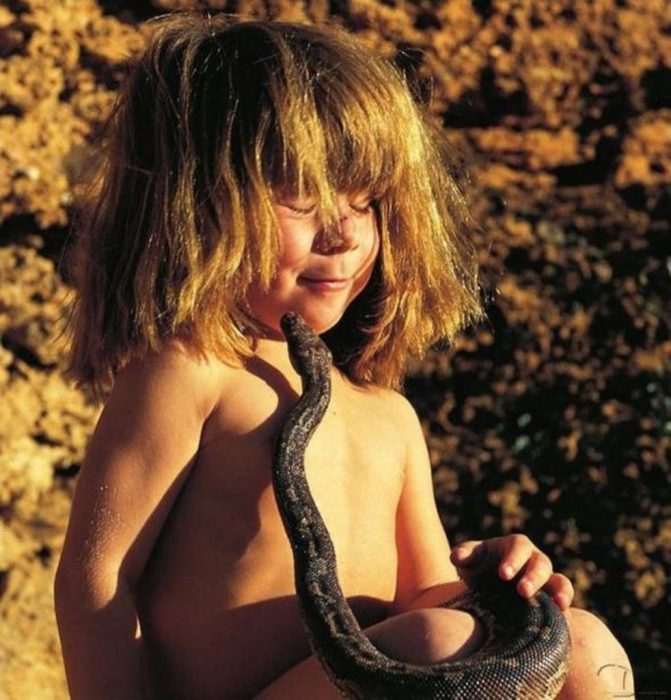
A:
(428, 572)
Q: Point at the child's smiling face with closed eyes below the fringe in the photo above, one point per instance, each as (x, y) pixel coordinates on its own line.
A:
(320, 271)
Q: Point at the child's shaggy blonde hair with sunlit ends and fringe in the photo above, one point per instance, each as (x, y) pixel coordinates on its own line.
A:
(214, 117)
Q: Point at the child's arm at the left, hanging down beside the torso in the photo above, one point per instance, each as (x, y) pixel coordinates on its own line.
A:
(139, 457)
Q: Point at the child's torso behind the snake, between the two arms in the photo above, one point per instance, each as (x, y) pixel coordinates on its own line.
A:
(217, 605)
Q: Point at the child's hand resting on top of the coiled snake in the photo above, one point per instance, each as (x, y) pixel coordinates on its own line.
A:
(512, 556)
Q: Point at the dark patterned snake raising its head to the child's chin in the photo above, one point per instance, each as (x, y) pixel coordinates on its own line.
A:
(526, 647)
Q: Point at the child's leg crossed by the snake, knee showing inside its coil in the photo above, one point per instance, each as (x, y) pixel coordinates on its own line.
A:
(422, 636)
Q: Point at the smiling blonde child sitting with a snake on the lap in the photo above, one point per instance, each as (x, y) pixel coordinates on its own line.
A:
(254, 169)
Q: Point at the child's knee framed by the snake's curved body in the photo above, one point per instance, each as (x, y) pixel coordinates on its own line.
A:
(428, 636)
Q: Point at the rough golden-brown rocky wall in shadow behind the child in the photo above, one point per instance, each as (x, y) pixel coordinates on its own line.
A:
(553, 418)
